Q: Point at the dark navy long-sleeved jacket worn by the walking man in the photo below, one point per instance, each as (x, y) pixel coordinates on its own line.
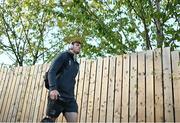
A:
(62, 73)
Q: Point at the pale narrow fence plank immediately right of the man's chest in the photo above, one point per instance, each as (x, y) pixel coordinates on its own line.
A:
(80, 86)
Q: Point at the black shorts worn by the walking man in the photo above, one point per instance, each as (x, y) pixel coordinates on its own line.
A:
(55, 107)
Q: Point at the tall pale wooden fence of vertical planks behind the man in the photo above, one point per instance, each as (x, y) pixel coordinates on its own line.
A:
(142, 86)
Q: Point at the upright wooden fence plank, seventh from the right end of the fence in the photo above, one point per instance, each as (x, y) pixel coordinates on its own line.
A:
(125, 88)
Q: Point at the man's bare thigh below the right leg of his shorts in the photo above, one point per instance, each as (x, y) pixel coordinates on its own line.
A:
(71, 116)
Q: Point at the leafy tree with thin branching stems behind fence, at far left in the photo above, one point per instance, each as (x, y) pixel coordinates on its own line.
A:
(25, 28)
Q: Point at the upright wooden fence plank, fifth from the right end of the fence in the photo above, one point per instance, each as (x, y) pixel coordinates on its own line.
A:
(141, 87)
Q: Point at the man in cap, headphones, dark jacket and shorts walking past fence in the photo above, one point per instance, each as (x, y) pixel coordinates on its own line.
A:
(61, 77)
